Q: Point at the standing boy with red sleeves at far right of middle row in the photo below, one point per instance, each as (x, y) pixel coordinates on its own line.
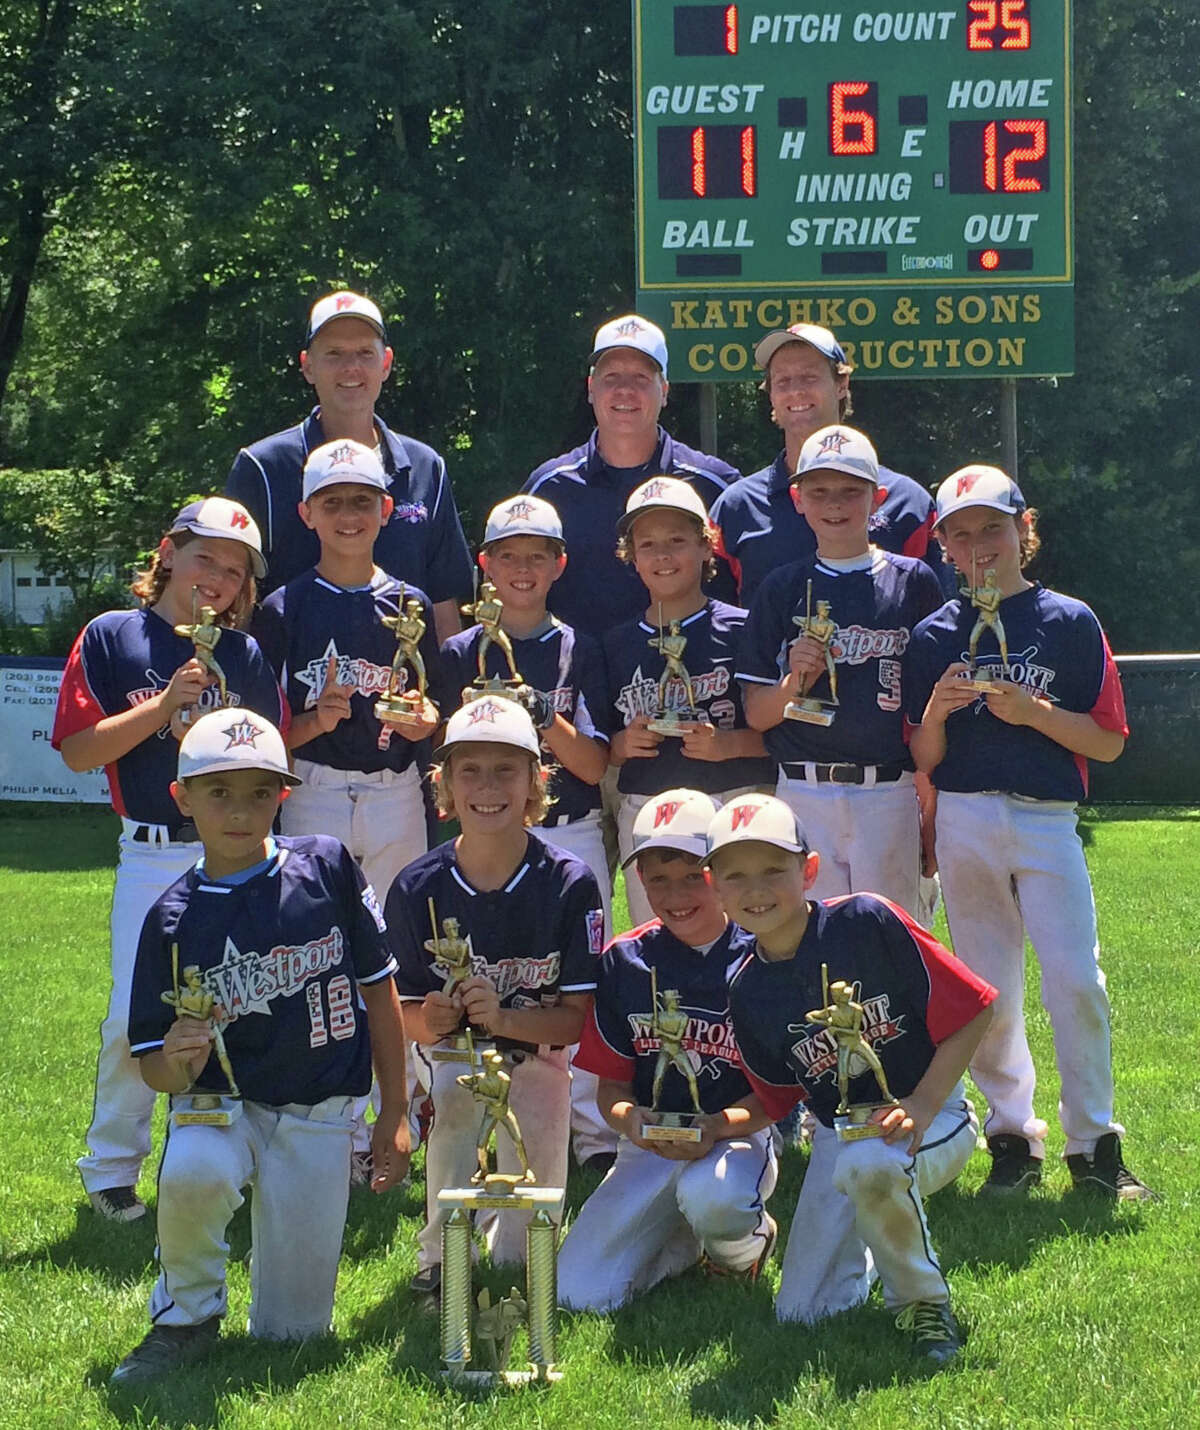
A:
(1010, 764)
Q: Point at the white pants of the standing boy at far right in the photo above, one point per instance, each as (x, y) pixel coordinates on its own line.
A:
(1013, 867)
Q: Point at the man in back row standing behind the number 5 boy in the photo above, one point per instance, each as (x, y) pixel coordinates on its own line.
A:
(807, 380)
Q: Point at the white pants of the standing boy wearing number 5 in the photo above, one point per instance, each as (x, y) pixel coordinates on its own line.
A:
(869, 837)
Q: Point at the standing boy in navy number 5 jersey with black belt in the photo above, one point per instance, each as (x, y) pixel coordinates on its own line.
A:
(839, 626)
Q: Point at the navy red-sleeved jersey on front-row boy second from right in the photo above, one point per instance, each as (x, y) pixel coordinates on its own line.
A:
(619, 1043)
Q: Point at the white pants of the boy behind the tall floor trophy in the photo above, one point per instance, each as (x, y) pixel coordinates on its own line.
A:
(541, 1099)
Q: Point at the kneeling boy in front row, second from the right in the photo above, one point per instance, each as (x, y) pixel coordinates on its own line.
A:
(660, 1040)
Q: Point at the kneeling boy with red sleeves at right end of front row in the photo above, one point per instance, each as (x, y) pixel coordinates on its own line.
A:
(920, 1015)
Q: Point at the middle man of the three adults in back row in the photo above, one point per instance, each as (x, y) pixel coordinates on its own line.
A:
(590, 485)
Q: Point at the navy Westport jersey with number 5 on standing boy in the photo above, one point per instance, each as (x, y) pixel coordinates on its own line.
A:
(876, 610)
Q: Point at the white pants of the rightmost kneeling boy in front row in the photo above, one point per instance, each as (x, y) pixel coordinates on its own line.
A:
(862, 1215)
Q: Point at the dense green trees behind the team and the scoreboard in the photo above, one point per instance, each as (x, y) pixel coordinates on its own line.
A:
(179, 181)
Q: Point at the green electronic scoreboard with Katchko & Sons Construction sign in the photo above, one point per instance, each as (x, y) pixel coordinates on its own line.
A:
(900, 177)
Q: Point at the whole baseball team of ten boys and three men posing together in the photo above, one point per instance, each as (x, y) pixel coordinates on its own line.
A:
(797, 707)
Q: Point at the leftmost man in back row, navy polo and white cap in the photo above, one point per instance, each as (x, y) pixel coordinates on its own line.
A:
(347, 361)
